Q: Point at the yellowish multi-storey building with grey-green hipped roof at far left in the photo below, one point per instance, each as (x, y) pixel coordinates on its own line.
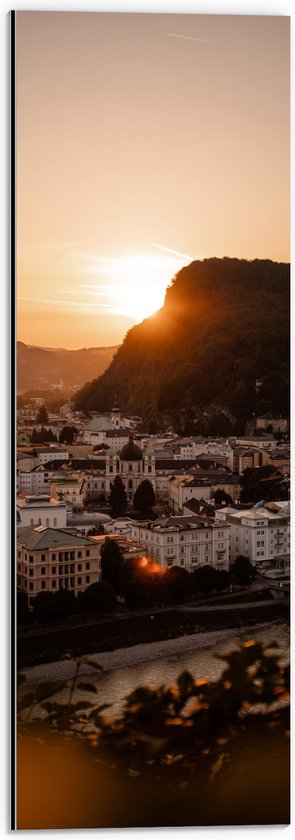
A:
(49, 559)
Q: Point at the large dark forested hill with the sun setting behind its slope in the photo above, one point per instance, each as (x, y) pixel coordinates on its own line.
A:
(224, 325)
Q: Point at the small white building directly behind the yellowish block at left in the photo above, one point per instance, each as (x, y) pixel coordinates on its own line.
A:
(41, 510)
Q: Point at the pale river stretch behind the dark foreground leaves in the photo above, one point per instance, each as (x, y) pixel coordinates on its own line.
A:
(158, 663)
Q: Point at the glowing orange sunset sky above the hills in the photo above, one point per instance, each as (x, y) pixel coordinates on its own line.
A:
(143, 141)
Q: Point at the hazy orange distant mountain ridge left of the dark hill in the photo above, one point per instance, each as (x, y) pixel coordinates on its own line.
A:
(46, 368)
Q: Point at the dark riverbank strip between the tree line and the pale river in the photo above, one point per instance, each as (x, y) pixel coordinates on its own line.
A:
(142, 630)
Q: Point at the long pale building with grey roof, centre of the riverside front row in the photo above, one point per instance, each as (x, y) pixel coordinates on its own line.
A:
(187, 541)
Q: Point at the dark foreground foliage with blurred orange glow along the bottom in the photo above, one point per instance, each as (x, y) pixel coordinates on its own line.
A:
(194, 753)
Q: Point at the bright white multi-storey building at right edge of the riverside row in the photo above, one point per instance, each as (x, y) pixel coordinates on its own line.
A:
(261, 533)
